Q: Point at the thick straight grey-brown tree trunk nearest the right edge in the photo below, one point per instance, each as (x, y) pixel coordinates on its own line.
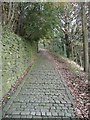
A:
(85, 36)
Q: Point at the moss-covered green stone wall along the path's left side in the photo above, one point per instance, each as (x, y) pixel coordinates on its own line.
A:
(17, 55)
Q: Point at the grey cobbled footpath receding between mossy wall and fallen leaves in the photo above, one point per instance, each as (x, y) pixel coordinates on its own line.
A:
(41, 95)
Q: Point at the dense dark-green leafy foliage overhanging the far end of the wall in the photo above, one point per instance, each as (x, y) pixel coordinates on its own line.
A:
(40, 20)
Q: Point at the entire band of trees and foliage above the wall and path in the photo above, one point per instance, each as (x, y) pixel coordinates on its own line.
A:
(62, 25)
